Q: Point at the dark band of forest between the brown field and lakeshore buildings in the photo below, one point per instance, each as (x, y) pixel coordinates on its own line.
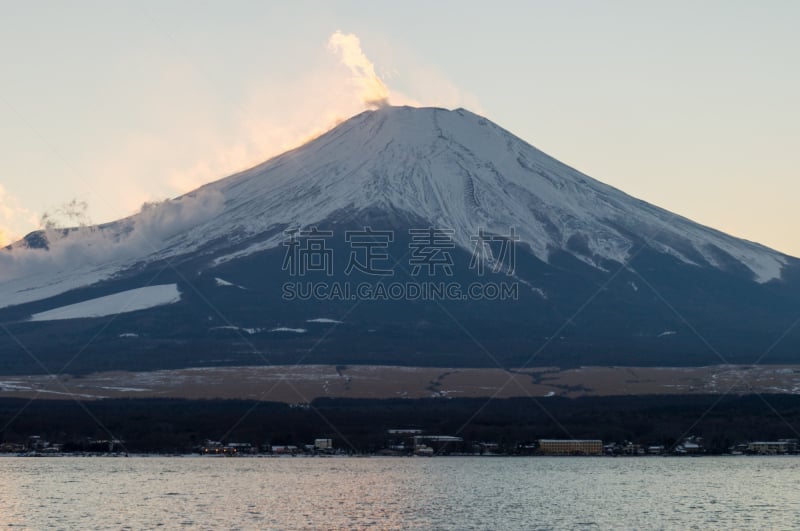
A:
(360, 426)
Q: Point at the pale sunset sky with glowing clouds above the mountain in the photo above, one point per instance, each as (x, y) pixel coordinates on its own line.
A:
(692, 106)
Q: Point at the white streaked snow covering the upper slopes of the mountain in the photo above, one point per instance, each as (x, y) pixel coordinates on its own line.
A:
(454, 169)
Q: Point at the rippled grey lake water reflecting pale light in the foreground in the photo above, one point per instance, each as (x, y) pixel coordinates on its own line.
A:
(400, 493)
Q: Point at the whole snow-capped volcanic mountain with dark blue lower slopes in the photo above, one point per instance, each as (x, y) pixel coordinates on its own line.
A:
(398, 169)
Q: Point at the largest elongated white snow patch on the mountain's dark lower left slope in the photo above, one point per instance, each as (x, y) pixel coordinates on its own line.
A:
(122, 302)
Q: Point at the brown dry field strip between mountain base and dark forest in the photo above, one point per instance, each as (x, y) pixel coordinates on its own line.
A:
(303, 383)
